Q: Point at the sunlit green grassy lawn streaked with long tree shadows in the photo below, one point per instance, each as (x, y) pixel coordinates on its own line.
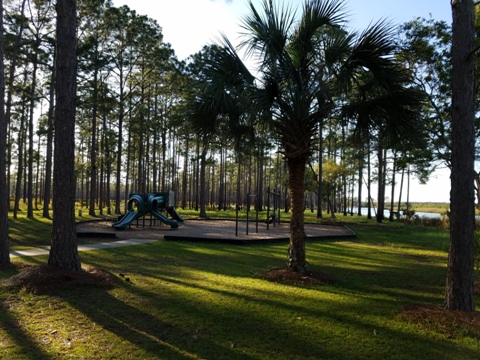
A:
(181, 300)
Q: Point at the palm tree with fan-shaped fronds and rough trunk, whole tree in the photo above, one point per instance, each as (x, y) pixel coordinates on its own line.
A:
(307, 64)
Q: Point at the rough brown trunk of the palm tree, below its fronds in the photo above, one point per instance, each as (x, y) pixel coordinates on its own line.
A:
(296, 252)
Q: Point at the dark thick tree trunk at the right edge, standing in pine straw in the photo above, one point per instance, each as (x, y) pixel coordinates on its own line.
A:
(459, 294)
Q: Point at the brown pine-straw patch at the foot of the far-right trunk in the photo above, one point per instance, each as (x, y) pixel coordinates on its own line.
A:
(449, 323)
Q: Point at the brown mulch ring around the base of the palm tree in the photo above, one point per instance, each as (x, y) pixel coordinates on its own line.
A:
(288, 276)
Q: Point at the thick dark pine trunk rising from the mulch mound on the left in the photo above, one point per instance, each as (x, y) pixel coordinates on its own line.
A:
(64, 250)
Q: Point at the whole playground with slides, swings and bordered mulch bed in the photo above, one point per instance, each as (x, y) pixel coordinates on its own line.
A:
(153, 216)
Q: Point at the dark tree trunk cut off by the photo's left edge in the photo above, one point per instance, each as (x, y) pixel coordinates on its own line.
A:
(4, 244)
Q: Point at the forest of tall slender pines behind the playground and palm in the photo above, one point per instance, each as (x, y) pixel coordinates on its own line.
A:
(136, 130)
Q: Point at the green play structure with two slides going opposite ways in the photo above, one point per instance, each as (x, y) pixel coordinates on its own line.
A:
(155, 204)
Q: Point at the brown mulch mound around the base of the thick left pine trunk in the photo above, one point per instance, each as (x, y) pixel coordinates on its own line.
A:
(44, 278)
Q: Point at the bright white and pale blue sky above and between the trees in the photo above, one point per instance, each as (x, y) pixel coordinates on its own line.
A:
(188, 25)
